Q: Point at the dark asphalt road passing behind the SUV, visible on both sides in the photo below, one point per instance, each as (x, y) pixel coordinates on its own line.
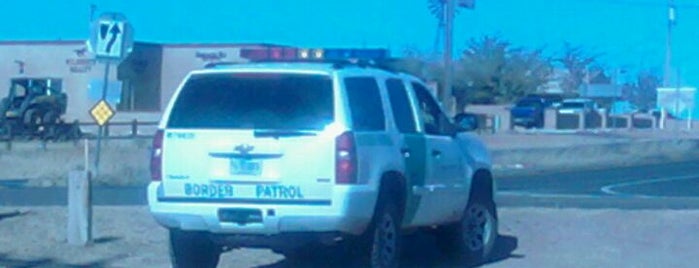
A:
(665, 186)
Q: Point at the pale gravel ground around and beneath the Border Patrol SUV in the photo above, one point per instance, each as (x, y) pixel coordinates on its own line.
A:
(531, 237)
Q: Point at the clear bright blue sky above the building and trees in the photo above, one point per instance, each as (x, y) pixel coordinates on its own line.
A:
(630, 34)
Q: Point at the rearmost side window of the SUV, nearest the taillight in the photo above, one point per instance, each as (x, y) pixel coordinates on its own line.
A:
(365, 104)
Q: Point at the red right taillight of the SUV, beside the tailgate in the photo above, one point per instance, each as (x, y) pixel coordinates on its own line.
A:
(345, 159)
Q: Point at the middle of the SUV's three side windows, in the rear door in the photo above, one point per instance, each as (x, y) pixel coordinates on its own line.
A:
(401, 107)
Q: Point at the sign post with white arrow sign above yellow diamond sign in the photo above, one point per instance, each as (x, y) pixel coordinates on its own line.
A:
(111, 40)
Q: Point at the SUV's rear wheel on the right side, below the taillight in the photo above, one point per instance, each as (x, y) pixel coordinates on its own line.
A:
(385, 236)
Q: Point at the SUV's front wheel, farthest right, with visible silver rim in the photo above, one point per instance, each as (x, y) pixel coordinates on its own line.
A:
(472, 238)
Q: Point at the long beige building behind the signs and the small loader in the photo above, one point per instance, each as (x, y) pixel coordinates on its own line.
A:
(139, 87)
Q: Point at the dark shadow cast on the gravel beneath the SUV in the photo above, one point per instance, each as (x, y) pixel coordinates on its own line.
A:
(419, 251)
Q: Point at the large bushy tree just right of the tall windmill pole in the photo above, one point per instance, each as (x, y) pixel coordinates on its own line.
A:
(492, 71)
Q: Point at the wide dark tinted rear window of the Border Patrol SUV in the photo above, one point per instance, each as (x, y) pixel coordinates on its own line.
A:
(254, 101)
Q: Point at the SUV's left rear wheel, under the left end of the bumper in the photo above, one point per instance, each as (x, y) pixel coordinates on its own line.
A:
(193, 249)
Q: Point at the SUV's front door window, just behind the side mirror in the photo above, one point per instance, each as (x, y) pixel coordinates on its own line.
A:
(434, 120)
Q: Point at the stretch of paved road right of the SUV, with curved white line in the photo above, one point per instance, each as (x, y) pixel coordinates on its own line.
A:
(665, 186)
